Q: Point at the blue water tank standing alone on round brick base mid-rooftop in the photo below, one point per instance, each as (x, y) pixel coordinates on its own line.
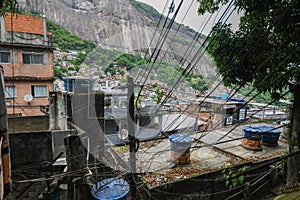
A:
(180, 143)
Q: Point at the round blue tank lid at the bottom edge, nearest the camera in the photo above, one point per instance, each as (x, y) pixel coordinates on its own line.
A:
(111, 189)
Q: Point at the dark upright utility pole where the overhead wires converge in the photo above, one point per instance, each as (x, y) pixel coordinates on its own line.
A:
(133, 142)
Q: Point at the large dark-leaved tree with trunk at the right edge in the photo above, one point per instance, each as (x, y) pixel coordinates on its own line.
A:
(264, 51)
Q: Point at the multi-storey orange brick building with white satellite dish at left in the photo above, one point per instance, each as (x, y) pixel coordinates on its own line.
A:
(26, 54)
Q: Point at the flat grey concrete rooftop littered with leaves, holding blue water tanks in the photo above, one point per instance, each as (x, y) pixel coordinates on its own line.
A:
(153, 157)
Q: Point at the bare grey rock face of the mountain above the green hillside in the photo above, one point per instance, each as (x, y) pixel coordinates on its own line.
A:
(116, 25)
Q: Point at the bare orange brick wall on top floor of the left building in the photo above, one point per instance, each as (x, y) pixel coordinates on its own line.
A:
(23, 23)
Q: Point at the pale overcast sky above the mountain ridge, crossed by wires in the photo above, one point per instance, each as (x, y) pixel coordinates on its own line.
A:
(192, 19)
